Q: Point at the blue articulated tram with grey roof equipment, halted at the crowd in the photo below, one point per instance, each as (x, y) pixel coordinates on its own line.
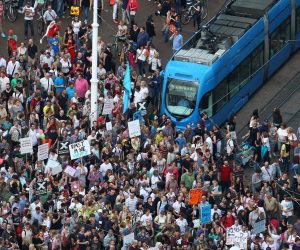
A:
(223, 64)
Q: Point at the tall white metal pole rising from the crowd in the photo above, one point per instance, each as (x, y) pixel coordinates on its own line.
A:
(94, 80)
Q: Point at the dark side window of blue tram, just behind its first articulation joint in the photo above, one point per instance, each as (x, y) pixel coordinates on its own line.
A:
(280, 37)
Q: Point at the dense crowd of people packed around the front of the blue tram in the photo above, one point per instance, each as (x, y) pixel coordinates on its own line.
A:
(131, 192)
